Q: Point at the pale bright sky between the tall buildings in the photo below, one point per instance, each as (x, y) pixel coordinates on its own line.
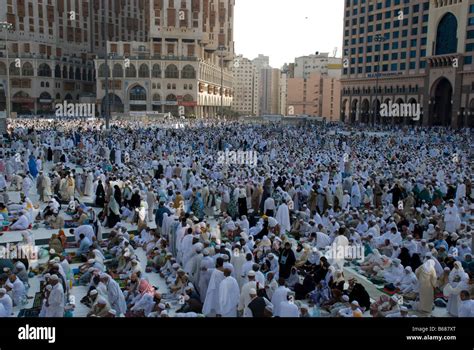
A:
(285, 29)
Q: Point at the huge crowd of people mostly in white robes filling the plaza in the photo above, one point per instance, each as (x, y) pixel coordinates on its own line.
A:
(237, 240)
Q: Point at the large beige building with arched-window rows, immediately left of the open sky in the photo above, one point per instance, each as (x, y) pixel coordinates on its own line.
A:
(182, 65)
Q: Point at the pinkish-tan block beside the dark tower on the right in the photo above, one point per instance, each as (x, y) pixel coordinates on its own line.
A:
(315, 96)
